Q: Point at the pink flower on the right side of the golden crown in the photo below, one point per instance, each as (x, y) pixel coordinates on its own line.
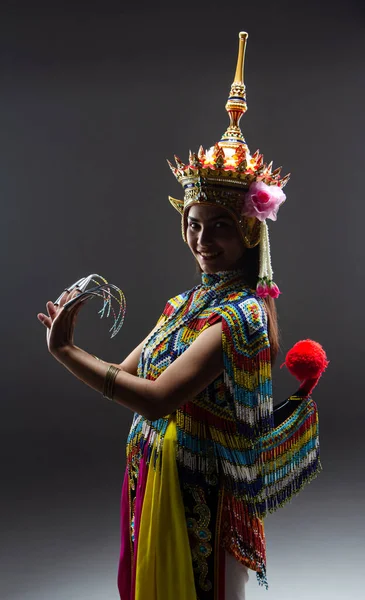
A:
(262, 201)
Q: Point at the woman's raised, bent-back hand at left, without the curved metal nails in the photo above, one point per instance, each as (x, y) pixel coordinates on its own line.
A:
(60, 322)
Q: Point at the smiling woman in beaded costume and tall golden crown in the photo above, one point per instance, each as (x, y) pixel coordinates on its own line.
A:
(205, 459)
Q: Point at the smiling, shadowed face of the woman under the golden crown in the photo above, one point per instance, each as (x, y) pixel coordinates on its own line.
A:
(213, 238)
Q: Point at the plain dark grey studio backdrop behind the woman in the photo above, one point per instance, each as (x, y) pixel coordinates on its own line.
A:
(92, 102)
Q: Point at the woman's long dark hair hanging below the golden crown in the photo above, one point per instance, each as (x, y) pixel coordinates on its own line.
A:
(250, 263)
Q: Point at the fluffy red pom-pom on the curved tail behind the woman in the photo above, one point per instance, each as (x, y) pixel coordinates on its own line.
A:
(306, 360)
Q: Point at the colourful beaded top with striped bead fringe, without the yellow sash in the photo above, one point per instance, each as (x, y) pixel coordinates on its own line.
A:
(230, 456)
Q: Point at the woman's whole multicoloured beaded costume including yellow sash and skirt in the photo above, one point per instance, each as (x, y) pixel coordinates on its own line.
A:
(200, 481)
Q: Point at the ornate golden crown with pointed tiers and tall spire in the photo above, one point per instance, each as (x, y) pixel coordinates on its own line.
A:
(227, 164)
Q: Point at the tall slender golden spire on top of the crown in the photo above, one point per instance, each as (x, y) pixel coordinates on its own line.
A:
(236, 104)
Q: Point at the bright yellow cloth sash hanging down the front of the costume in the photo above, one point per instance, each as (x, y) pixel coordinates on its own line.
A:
(164, 565)
